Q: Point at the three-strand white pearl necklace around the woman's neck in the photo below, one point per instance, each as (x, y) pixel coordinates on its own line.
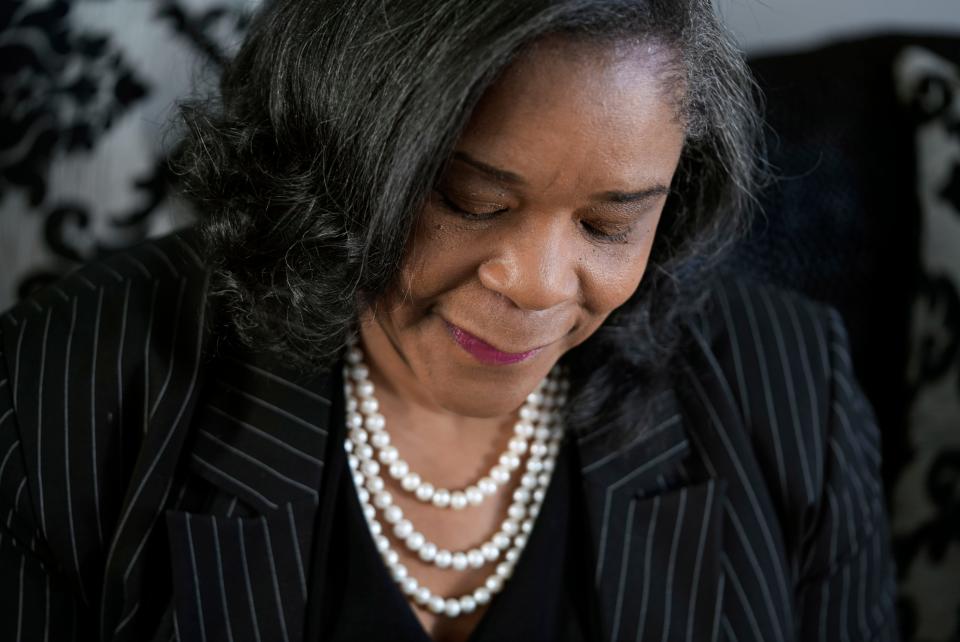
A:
(368, 447)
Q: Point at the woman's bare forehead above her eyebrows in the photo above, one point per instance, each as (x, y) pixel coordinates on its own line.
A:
(604, 110)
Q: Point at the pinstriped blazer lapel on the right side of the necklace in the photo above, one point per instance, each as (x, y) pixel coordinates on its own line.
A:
(656, 534)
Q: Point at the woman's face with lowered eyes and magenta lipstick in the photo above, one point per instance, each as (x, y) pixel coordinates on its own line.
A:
(540, 227)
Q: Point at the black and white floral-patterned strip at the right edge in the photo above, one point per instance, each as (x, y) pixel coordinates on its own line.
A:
(926, 509)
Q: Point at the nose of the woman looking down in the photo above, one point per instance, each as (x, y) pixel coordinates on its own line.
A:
(534, 266)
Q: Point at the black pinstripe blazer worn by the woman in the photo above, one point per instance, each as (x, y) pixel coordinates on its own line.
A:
(150, 491)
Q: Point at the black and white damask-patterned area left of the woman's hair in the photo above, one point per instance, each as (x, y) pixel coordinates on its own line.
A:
(87, 108)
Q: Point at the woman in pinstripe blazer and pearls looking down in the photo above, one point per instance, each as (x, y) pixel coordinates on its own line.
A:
(446, 359)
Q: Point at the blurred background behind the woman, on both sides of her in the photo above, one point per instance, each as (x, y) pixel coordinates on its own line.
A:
(863, 106)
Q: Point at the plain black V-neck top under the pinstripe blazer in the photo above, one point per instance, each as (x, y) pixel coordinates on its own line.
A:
(545, 599)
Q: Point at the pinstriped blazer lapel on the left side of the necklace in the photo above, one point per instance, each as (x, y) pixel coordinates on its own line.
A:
(260, 435)
